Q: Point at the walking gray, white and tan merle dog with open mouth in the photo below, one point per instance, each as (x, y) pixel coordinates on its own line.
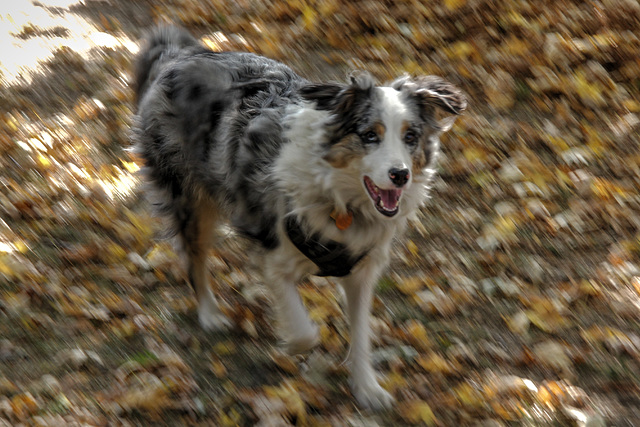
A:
(321, 176)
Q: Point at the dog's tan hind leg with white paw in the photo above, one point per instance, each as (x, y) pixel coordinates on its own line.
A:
(195, 230)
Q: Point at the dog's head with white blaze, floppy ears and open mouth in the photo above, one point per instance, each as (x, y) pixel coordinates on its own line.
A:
(388, 136)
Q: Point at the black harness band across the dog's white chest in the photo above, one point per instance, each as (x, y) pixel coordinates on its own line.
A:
(331, 257)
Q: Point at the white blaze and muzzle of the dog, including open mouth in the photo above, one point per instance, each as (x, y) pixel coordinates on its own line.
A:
(391, 153)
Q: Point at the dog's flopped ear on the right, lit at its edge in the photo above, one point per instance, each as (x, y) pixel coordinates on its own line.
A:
(433, 91)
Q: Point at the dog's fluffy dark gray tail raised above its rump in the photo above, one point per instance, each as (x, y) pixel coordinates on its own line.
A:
(161, 45)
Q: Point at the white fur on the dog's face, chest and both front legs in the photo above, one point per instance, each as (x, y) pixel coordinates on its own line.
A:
(315, 189)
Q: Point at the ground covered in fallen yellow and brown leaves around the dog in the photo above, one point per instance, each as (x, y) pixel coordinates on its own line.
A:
(514, 301)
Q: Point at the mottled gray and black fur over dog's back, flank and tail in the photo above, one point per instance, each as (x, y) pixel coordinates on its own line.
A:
(209, 126)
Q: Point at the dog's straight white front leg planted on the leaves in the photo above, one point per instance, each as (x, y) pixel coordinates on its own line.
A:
(359, 287)
